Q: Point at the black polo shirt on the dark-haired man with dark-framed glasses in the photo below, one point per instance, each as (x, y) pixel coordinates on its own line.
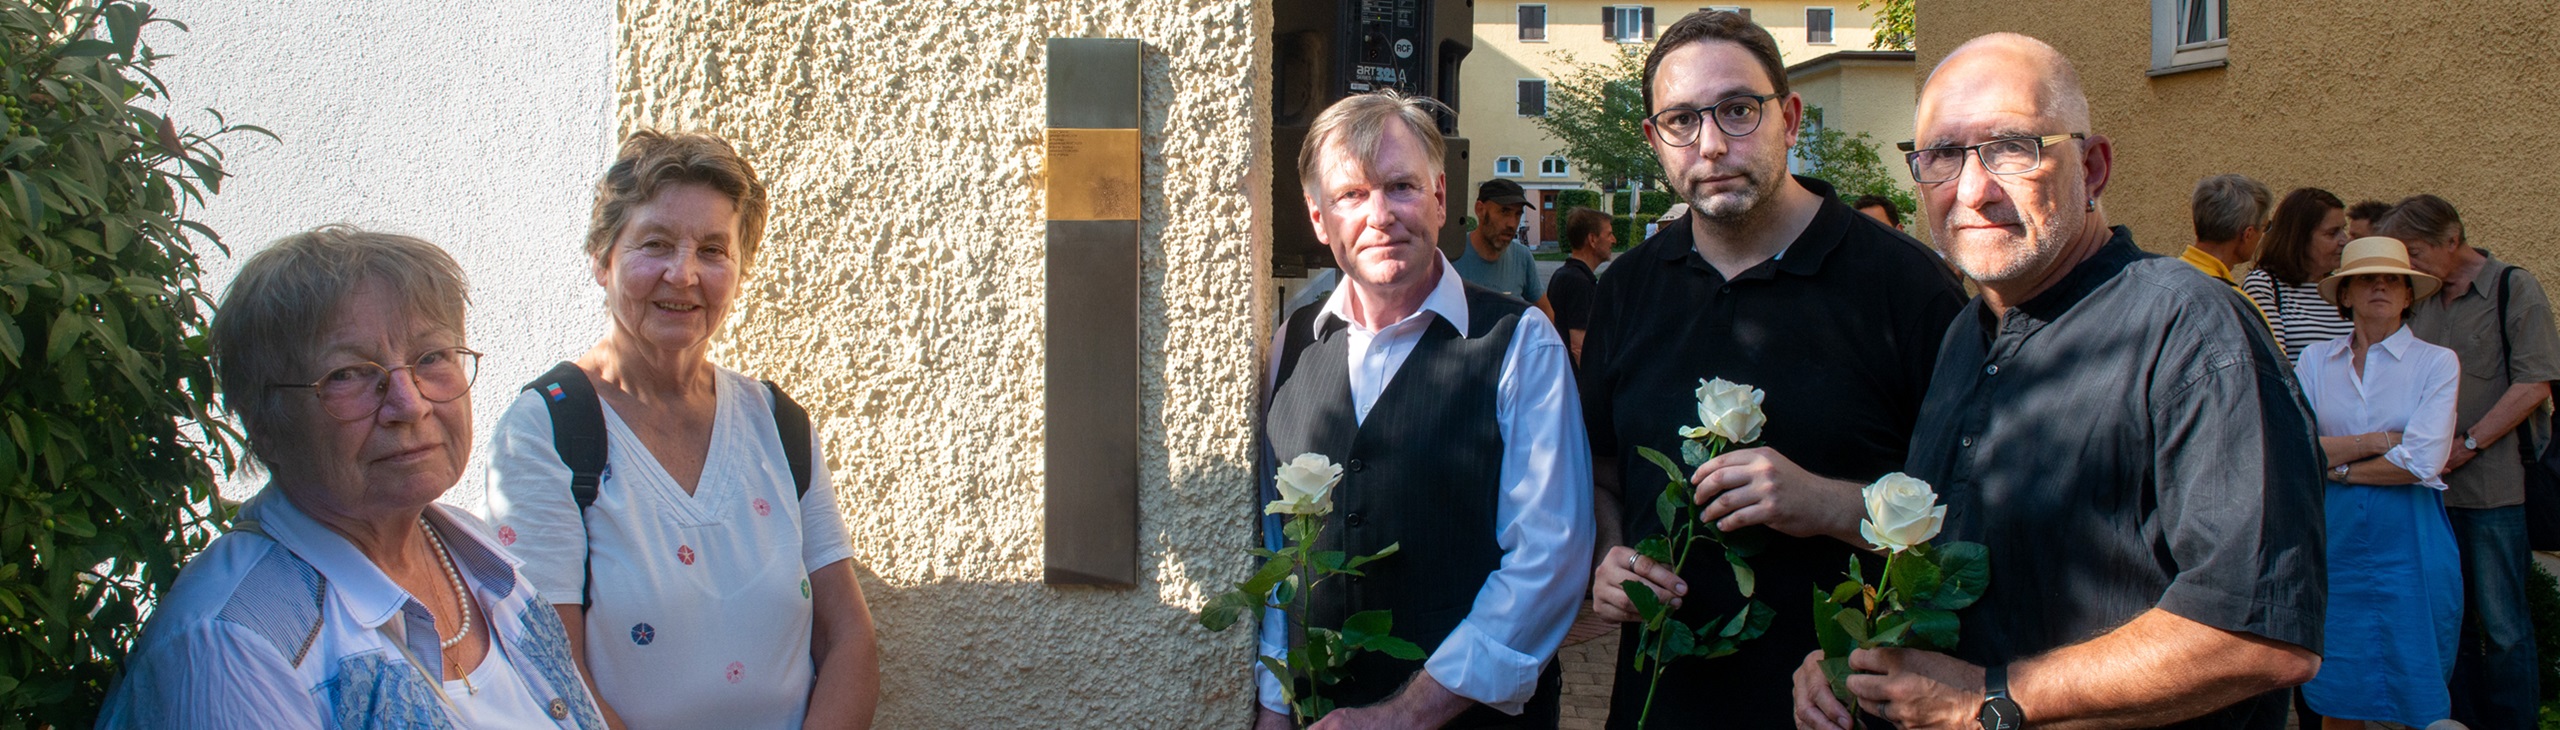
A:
(1839, 332)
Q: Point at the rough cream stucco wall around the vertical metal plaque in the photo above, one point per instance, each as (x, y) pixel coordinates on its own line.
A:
(900, 298)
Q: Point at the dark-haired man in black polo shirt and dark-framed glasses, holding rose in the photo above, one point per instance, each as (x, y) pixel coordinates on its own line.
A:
(1770, 280)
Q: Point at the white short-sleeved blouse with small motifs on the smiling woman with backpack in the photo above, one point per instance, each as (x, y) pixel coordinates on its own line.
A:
(703, 608)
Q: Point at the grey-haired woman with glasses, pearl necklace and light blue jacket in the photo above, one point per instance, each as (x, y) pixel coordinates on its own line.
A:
(344, 596)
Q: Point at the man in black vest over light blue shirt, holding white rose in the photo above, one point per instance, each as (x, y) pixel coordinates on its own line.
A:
(1453, 419)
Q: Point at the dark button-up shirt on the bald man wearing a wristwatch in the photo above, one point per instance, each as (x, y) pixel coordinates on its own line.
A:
(2129, 439)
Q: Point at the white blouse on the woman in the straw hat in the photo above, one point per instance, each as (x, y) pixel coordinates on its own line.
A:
(2408, 388)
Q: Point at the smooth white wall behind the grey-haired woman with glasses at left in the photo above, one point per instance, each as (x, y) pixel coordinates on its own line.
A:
(480, 127)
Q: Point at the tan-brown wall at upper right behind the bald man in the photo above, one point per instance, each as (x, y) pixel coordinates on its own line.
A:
(2364, 99)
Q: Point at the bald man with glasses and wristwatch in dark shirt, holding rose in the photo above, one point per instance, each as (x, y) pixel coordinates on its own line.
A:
(2121, 434)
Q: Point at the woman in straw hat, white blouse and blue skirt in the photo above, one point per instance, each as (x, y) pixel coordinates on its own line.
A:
(2385, 403)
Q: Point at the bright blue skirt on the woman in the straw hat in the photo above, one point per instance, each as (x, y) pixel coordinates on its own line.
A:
(2395, 606)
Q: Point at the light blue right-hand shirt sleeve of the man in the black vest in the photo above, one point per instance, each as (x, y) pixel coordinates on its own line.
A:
(1542, 524)
